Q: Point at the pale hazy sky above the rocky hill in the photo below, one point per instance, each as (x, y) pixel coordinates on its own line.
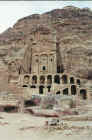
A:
(11, 11)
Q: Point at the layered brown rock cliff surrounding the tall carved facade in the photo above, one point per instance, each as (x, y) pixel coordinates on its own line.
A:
(73, 29)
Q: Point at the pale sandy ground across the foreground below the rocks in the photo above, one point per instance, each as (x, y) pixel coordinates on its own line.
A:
(19, 126)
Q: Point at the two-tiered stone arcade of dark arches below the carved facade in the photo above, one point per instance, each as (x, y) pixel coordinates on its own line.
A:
(55, 84)
